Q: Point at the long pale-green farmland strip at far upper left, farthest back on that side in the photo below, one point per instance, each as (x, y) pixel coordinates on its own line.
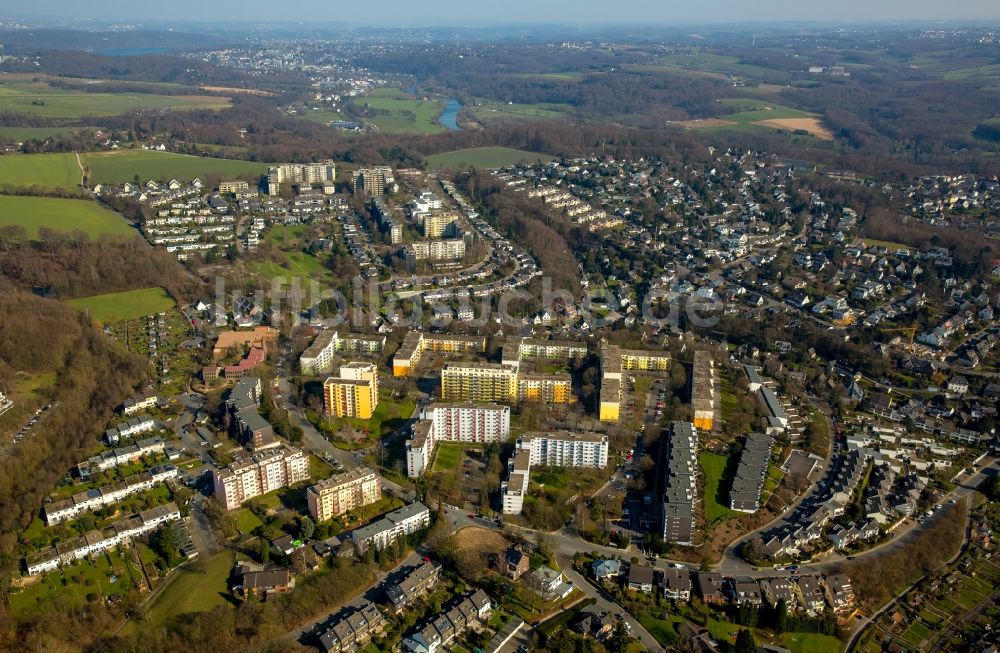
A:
(37, 98)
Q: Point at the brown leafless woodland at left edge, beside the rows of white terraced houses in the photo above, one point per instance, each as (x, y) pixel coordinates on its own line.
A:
(93, 376)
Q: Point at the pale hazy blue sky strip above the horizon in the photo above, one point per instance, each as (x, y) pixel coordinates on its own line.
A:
(457, 12)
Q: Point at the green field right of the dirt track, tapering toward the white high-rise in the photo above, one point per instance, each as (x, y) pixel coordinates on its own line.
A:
(124, 165)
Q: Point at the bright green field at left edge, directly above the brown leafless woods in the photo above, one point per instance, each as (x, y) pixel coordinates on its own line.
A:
(61, 215)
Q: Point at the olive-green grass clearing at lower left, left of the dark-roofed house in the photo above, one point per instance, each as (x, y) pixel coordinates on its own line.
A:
(190, 591)
